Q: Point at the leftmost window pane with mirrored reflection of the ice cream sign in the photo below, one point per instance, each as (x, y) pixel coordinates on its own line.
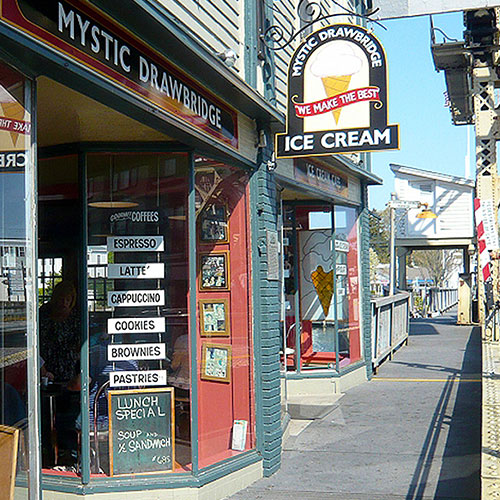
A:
(15, 296)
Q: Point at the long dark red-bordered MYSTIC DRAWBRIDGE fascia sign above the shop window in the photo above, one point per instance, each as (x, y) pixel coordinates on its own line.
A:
(85, 35)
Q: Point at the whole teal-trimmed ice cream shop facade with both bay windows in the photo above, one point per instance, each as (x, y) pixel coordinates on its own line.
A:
(165, 282)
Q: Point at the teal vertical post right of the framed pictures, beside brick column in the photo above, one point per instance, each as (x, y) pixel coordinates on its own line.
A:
(256, 302)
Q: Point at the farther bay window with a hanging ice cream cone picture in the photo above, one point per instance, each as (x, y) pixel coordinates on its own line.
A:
(321, 291)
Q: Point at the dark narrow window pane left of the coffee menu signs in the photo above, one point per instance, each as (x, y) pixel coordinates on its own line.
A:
(60, 331)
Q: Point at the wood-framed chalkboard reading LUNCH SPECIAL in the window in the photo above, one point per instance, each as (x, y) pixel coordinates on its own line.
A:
(141, 431)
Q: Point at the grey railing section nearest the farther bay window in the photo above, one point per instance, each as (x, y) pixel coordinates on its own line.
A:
(390, 325)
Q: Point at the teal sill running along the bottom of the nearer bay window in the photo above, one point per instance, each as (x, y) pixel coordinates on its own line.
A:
(153, 482)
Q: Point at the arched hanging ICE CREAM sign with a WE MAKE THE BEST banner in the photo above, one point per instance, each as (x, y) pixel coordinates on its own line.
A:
(337, 95)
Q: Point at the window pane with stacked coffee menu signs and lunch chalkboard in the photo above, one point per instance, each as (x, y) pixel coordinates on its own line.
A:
(138, 288)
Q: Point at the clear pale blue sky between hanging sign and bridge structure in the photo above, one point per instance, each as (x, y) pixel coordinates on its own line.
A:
(428, 139)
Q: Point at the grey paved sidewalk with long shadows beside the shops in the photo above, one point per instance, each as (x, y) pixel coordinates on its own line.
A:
(412, 433)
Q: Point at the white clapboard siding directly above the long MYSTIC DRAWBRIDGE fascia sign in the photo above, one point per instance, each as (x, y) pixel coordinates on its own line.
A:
(216, 23)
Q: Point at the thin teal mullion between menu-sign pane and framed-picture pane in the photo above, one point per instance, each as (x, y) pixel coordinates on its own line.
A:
(192, 314)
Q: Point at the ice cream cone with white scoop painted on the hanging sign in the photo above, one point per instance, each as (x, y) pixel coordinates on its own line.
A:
(335, 64)
